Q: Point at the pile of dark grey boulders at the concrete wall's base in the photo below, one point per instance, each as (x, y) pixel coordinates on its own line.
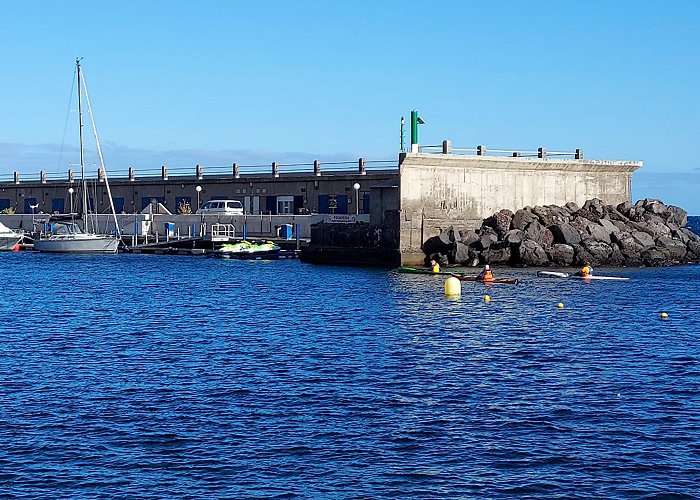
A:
(646, 233)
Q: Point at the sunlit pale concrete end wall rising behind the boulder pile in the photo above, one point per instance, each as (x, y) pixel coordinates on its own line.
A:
(441, 190)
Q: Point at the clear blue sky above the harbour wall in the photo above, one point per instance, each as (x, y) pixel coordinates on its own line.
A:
(214, 82)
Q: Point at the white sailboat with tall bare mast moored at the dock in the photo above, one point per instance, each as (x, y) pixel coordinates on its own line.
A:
(66, 235)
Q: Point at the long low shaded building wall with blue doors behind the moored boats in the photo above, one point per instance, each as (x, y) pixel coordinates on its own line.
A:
(329, 193)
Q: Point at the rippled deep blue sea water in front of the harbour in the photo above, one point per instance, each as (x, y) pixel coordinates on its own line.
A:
(134, 376)
